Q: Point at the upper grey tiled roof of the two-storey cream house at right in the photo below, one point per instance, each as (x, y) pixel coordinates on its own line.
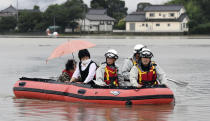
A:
(163, 8)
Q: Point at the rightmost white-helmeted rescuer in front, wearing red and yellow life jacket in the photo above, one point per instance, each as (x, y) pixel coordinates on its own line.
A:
(146, 72)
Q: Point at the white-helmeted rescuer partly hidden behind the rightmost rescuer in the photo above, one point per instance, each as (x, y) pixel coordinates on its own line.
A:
(130, 62)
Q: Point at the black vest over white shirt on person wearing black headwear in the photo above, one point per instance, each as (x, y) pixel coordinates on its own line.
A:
(85, 72)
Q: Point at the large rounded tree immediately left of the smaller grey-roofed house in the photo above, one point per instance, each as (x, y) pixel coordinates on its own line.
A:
(65, 14)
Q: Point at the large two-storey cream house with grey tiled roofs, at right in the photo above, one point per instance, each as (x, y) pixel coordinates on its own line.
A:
(158, 18)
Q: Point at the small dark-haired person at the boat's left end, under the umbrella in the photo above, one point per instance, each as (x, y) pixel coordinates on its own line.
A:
(68, 71)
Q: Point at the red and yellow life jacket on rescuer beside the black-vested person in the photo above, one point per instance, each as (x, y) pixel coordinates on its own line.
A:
(110, 76)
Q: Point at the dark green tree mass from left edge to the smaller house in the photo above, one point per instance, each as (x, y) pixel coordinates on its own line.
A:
(63, 15)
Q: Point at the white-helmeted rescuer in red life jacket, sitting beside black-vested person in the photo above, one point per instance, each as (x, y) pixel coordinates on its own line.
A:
(108, 72)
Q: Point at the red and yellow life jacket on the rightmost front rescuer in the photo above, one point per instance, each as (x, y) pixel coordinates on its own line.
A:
(148, 77)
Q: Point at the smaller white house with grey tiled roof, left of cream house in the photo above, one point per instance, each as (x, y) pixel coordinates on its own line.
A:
(97, 20)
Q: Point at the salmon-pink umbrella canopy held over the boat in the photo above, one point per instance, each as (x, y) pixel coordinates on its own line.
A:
(70, 47)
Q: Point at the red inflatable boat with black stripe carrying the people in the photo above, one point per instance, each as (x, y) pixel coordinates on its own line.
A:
(48, 89)
